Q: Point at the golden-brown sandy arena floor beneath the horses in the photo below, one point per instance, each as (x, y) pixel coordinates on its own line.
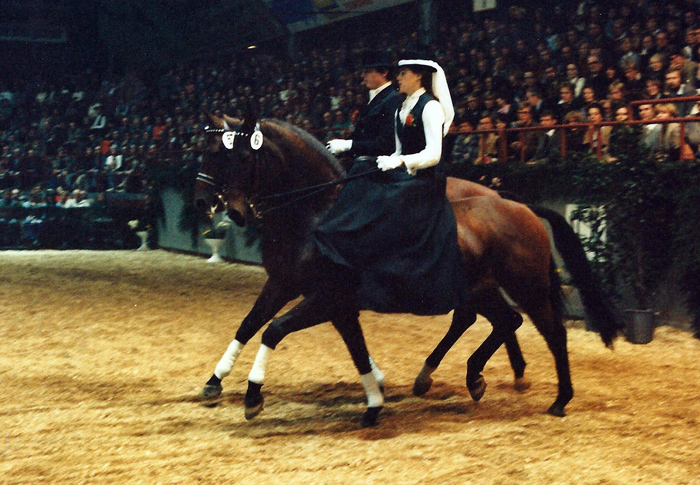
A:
(103, 353)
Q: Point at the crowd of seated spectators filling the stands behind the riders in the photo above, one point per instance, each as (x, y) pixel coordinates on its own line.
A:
(582, 62)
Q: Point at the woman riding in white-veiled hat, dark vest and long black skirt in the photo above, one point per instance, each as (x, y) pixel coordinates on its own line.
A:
(391, 237)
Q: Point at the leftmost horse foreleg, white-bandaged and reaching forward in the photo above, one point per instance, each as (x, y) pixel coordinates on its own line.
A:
(270, 301)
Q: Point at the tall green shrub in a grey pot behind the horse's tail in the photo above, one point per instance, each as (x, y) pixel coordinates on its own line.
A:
(632, 208)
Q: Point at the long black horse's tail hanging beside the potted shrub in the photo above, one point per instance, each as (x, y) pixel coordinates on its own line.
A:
(598, 306)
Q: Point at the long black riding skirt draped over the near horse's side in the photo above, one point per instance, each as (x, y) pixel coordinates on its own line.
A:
(395, 235)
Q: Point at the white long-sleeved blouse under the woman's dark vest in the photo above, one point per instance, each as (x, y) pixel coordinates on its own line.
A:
(433, 119)
